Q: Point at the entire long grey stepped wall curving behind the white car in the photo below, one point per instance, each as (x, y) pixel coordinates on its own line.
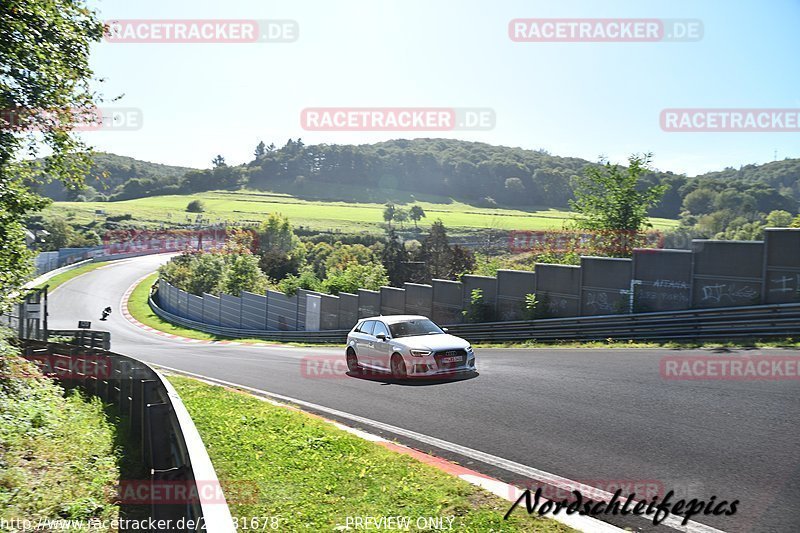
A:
(712, 274)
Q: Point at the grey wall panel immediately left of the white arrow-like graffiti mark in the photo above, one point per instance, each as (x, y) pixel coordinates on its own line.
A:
(605, 285)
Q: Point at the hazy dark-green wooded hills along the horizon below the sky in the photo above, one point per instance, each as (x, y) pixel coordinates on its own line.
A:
(474, 172)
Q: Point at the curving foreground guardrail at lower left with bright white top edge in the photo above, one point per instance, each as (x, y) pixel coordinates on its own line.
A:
(171, 447)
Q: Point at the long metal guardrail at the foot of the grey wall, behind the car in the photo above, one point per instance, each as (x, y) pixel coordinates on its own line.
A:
(780, 320)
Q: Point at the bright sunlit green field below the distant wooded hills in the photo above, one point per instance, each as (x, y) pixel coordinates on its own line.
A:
(344, 216)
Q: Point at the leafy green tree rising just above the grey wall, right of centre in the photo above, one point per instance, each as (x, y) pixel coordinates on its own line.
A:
(610, 199)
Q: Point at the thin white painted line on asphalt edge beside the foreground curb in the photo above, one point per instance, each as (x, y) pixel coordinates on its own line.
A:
(529, 472)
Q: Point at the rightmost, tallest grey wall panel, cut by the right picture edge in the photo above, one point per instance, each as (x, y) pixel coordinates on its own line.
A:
(782, 266)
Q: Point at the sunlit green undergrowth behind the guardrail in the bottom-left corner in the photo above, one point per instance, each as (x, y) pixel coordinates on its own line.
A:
(48, 468)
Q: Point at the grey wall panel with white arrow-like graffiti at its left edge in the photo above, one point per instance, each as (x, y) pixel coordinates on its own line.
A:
(662, 280)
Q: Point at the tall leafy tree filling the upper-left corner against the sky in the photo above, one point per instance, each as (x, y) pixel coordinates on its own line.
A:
(44, 84)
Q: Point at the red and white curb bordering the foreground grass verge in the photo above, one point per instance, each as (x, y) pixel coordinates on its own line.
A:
(499, 488)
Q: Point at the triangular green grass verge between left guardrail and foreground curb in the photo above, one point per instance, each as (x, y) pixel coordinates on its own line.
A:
(310, 475)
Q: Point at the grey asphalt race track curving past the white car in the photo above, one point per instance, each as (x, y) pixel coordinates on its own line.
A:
(590, 415)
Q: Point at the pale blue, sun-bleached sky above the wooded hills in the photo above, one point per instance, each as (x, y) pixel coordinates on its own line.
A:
(572, 99)
